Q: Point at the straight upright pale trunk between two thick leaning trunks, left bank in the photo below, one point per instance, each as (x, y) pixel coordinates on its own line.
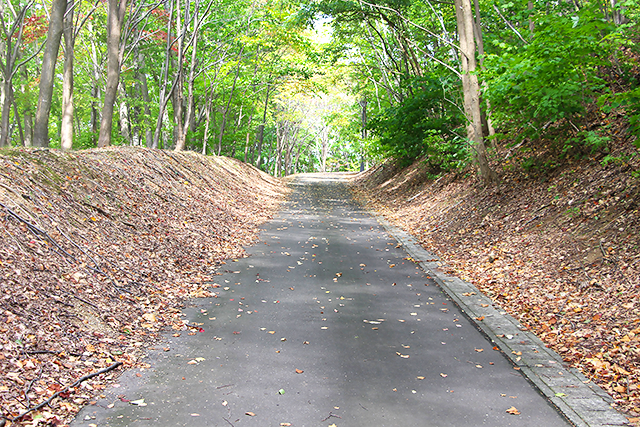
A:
(66, 127)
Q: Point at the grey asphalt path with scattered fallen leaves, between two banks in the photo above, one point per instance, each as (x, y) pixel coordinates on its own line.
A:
(328, 322)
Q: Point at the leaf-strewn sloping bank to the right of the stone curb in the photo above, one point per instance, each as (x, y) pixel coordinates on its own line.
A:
(558, 249)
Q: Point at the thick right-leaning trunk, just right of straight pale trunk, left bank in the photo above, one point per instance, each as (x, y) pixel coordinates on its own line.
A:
(117, 9)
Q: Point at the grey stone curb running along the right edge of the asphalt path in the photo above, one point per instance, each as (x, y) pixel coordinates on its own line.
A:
(581, 401)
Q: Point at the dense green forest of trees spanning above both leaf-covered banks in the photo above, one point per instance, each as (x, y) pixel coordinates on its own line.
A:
(328, 85)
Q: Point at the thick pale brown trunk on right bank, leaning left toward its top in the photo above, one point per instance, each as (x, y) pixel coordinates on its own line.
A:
(471, 89)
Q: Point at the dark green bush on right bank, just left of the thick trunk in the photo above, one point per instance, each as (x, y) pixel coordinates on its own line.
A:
(424, 124)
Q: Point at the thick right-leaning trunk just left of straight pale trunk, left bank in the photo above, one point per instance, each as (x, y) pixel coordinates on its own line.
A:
(54, 34)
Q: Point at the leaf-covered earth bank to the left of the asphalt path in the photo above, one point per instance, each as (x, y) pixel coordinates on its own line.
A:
(98, 249)
